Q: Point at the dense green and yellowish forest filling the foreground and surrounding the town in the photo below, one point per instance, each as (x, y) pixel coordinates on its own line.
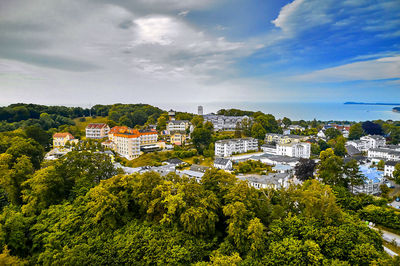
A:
(79, 209)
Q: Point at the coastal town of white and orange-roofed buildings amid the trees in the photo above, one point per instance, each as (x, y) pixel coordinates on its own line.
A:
(277, 155)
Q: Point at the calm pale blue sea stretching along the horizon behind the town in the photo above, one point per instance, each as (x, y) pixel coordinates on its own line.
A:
(324, 111)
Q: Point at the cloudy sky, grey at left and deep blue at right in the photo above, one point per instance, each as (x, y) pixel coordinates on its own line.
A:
(84, 52)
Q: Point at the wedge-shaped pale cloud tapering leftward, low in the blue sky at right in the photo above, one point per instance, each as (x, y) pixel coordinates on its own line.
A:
(378, 69)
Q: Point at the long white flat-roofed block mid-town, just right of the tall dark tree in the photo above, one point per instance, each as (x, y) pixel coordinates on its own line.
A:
(227, 147)
